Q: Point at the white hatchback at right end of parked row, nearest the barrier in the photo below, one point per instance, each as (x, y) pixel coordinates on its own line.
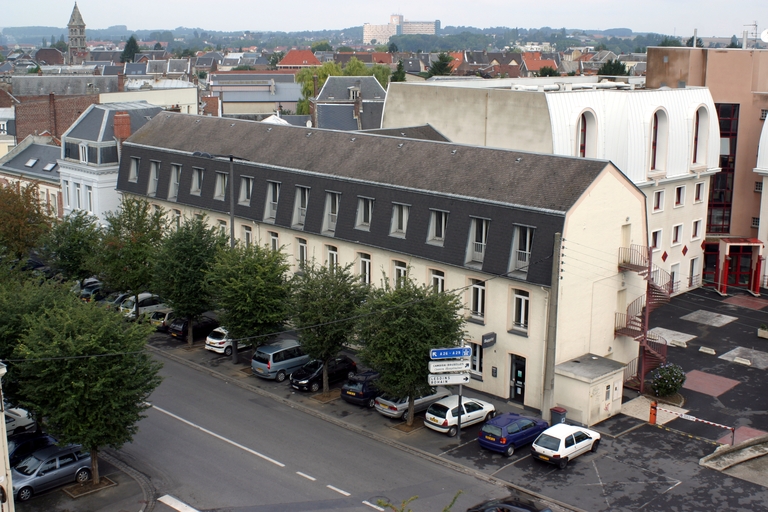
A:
(562, 443)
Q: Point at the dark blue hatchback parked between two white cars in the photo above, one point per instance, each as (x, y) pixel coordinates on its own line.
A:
(509, 431)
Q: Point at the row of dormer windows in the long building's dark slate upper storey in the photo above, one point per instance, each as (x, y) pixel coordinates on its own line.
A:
(438, 224)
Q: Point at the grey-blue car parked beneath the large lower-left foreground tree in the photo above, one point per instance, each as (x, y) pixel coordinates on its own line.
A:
(50, 467)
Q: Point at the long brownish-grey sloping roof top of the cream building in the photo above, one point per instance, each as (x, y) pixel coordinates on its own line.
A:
(515, 178)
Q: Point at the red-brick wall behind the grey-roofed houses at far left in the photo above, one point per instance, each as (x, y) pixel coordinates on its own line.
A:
(52, 114)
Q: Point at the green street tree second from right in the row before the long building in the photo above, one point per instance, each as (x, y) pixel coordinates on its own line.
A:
(323, 295)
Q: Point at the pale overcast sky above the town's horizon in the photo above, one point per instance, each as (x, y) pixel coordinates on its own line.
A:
(674, 17)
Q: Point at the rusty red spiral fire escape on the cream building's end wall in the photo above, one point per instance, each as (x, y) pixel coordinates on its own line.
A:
(634, 323)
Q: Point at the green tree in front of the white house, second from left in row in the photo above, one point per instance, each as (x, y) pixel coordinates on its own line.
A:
(70, 245)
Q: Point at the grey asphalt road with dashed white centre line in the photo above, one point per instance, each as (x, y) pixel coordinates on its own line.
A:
(216, 446)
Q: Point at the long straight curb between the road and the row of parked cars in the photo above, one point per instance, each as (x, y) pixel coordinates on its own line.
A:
(395, 444)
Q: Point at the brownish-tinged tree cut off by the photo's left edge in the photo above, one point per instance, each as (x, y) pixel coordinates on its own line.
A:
(23, 219)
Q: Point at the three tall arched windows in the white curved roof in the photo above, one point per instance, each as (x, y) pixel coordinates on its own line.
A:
(587, 137)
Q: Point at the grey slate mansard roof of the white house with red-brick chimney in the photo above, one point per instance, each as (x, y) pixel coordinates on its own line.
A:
(97, 123)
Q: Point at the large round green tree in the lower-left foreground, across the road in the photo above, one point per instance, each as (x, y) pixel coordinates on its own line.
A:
(85, 373)
